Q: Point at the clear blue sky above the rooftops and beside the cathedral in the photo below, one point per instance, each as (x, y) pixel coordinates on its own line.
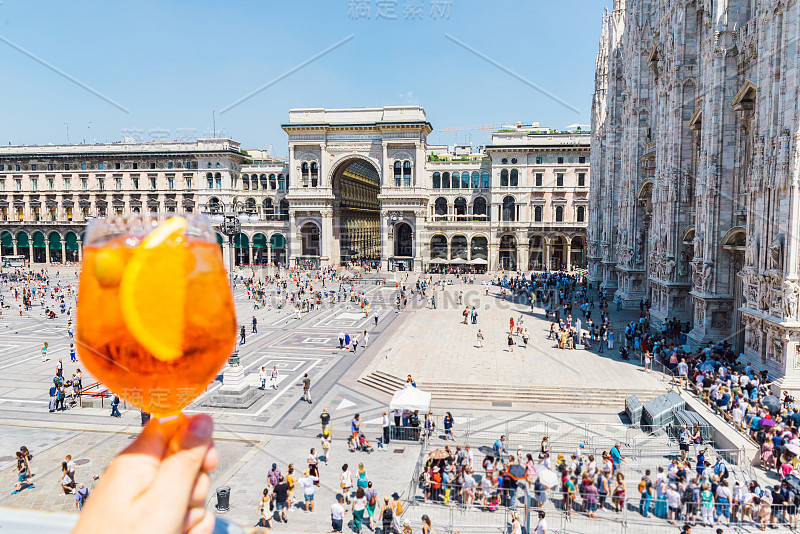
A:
(169, 64)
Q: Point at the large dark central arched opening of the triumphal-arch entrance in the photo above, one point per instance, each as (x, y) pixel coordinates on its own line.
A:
(356, 211)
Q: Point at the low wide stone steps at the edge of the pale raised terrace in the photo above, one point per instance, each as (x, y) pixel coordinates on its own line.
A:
(444, 391)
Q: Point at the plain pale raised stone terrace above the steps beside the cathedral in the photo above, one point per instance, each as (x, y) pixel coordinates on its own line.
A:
(435, 346)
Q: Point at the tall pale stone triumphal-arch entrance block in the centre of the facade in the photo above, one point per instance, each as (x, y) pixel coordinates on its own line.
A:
(358, 174)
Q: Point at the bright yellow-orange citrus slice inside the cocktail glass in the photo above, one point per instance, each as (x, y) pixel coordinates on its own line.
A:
(152, 291)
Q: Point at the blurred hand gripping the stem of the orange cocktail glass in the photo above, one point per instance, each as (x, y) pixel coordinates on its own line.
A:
(158, 484)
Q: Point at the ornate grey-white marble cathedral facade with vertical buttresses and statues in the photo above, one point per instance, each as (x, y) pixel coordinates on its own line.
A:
(695, 170)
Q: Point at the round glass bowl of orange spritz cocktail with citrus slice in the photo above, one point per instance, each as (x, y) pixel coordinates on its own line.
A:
(155, 320)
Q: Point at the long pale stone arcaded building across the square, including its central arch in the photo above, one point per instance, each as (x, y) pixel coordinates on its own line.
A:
(358, 184)
